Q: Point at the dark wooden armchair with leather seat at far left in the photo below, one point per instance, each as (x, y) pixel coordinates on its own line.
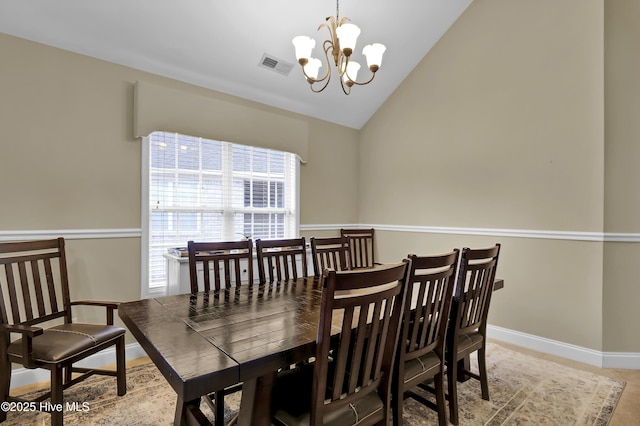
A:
(35, 305)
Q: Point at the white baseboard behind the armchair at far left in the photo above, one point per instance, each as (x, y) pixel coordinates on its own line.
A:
(24, 376)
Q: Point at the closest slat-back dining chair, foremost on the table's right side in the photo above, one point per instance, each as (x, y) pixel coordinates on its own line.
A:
(350, 381)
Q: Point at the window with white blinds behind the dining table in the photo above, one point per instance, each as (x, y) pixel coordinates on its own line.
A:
(205, 190)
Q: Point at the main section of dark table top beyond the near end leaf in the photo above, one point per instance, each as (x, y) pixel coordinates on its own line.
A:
(262, 328)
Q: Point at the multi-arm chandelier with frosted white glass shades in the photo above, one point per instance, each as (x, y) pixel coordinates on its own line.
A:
(341, 45)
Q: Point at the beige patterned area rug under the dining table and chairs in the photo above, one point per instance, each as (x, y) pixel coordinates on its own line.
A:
(523, 390)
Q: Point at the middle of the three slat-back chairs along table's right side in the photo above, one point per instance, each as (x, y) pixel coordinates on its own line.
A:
(421, 351)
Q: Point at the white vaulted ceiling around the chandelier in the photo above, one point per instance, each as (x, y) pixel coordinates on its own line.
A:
(220, 44)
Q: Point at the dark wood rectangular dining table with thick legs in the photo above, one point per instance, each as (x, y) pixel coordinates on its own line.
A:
(207, 341)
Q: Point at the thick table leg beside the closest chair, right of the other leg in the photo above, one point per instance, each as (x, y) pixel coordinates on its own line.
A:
(255, 406)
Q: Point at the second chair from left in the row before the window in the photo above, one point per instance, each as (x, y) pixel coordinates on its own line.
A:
(279, 260)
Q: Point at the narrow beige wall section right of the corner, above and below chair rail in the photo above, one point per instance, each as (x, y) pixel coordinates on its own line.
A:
(621, 287)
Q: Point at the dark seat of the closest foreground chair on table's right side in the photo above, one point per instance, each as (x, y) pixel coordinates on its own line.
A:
(293, 407)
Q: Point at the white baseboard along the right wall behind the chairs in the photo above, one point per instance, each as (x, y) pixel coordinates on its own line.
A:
(626, 360)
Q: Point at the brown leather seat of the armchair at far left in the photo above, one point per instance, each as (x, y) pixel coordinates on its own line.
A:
(66, 340)
